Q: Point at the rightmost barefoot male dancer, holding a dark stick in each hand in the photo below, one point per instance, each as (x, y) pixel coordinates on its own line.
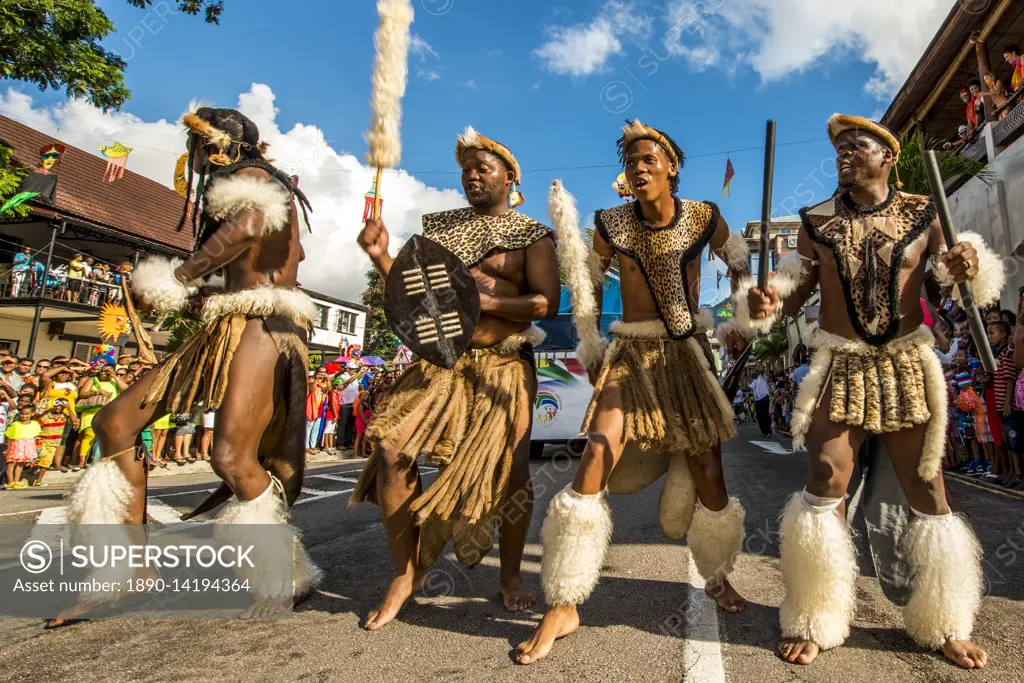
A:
(874, 372)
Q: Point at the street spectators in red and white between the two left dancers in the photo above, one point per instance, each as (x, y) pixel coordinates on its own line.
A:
(340, 403)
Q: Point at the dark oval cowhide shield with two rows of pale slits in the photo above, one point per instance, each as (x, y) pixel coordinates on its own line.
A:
(432, 302)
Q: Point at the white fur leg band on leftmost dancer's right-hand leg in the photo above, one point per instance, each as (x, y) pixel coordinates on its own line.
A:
(283, 569)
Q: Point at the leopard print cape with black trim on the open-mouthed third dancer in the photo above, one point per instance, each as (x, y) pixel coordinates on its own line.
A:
(663, 253)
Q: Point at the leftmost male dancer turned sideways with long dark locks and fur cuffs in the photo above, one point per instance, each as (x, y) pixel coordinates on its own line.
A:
(247, 225)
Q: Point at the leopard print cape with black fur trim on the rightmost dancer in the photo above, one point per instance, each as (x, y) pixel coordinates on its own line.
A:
(869, 244)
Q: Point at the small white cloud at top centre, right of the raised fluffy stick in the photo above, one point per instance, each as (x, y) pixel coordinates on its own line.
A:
(583, 50)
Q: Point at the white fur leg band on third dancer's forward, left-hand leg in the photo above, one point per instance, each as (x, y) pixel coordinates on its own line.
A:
(575, 537)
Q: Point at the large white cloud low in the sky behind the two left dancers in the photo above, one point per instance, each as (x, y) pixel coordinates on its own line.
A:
(334, 181)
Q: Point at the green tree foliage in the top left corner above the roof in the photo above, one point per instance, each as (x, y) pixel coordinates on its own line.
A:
(57, 45)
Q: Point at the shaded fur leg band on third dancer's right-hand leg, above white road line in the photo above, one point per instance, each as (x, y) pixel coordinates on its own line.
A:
(716, 539)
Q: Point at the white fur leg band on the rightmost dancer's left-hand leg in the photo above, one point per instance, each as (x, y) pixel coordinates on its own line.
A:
(820, 571)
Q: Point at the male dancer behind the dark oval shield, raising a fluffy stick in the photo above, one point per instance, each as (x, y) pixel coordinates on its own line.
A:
(475, 420)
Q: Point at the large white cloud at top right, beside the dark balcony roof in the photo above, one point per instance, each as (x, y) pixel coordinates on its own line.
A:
(778, 38)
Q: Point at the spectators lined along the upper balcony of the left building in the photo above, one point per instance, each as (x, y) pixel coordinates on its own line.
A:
(81, 280)
